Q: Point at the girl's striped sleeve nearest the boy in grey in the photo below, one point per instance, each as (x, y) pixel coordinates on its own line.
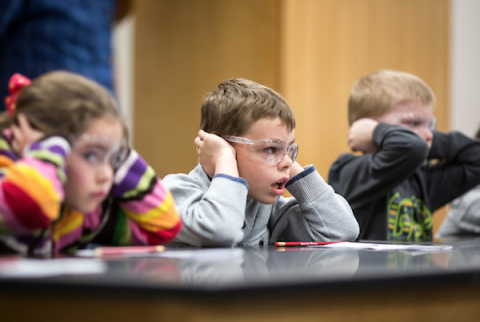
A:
(148, 215)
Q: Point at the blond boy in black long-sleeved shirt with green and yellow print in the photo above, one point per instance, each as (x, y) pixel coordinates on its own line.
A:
(393, 187)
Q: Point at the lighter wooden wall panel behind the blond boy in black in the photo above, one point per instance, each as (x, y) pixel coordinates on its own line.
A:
(328, 44)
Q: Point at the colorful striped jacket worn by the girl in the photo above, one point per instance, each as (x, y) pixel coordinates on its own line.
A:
(138, 211)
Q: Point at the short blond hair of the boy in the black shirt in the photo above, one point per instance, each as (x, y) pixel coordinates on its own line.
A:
(376, 93)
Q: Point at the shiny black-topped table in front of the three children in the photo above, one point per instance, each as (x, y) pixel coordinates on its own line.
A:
(260, 284)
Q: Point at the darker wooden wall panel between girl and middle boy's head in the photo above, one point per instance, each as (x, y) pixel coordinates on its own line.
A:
(183, 50)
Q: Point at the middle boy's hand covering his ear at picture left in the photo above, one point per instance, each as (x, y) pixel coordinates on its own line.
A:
(215, 154)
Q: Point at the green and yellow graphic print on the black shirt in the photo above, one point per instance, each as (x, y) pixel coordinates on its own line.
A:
(403, 217)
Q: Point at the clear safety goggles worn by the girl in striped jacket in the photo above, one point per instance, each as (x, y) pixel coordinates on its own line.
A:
(97, 150)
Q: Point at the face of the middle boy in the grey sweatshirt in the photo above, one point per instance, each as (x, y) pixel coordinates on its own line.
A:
(266, 180)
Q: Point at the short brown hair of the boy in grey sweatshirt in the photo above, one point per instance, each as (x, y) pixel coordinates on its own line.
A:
(235, 104)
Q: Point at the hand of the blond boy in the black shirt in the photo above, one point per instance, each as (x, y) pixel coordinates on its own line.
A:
(360, 136)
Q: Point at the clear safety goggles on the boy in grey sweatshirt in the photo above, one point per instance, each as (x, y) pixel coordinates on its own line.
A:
(270, 151)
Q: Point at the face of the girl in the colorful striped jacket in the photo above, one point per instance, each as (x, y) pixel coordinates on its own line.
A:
(89, 175)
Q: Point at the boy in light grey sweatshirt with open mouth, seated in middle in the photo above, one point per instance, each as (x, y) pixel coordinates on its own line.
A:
(246, 151)
